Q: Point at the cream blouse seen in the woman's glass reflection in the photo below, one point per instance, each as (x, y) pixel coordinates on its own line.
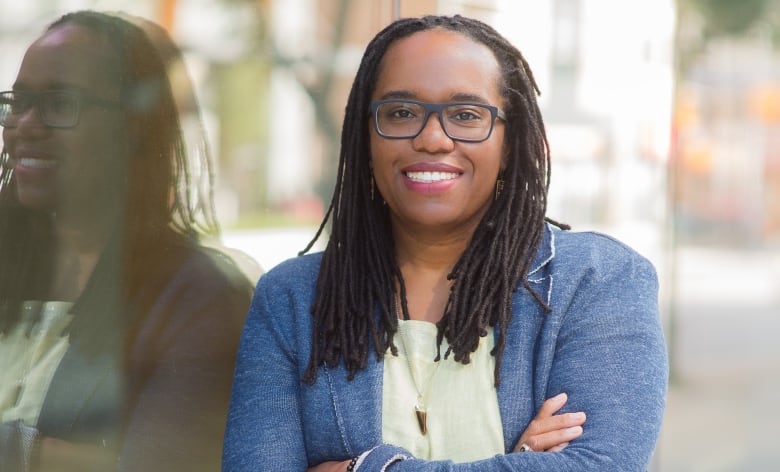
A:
(30, 353)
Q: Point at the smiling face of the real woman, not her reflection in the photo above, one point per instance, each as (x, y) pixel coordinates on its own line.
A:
(430, 182)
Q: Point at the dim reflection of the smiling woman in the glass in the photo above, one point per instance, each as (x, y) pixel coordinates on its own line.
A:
(119, 330)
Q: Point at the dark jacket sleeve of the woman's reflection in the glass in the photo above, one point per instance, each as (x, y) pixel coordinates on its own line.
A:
(185, 355)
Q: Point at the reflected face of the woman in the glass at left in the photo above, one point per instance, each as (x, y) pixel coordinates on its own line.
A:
(71, 171)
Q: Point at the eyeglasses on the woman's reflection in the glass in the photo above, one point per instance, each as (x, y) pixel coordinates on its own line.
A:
(56, 109)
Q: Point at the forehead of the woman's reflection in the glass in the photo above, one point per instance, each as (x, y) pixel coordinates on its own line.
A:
(68, 56)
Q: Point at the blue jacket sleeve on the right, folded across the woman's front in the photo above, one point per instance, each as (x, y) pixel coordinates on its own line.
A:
(608, 353)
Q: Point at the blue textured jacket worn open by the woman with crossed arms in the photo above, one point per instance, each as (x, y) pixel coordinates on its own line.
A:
(602, 344)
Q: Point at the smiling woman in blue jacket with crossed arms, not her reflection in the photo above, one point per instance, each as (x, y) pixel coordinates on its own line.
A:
(445, 310)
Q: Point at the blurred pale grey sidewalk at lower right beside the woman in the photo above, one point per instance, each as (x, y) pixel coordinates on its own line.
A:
(722, 412)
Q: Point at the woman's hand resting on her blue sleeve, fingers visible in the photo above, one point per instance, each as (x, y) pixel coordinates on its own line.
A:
(549, 432)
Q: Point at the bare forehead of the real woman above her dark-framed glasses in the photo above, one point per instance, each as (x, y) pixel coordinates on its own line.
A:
(438, 65)
